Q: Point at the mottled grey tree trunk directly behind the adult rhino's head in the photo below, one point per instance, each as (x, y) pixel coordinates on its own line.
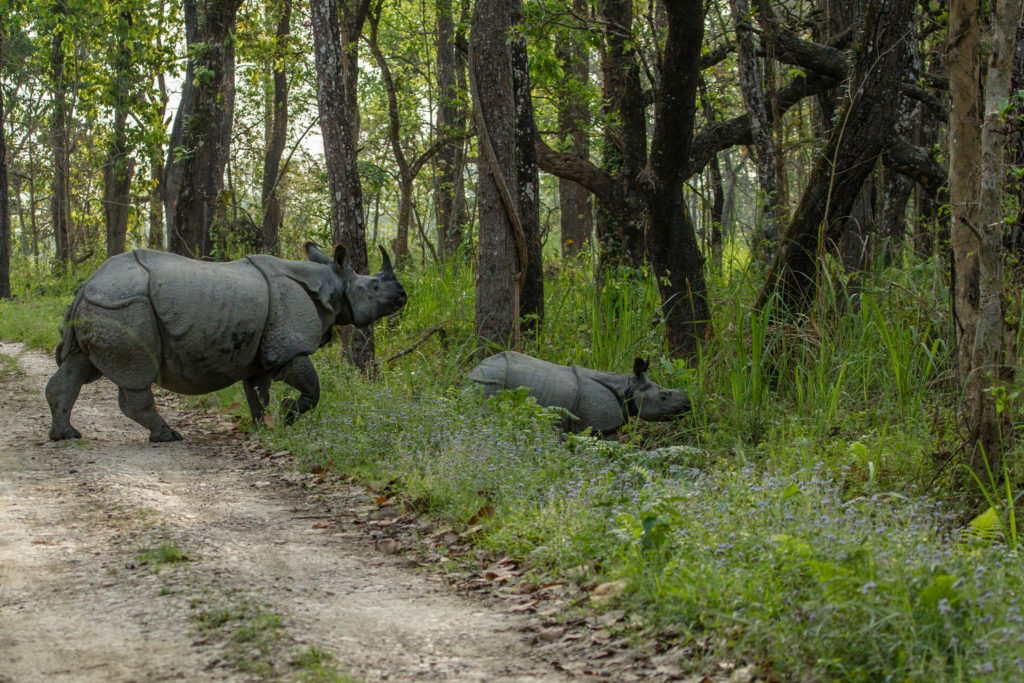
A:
(336, 80)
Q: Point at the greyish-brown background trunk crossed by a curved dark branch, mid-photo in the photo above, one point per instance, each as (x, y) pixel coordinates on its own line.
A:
(577, 221)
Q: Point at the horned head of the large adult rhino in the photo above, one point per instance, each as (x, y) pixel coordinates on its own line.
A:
(364, 298)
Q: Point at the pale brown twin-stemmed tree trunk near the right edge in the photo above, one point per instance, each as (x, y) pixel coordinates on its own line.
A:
(977, 183)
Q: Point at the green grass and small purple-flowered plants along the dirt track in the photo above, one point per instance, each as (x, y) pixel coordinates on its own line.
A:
(813, 517)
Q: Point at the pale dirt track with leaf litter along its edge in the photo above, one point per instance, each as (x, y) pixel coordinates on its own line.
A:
(214, 560)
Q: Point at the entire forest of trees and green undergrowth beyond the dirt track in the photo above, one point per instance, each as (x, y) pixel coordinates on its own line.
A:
(808, 214)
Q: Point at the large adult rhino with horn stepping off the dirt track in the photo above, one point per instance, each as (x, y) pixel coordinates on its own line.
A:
(193, 327)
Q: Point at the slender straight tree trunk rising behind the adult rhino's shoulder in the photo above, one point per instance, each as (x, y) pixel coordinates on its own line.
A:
(277, 133)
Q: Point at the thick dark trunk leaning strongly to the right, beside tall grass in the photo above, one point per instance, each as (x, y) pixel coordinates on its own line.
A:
(865, 125)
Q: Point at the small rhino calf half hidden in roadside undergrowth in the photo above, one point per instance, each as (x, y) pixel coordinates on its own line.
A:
(601, 401)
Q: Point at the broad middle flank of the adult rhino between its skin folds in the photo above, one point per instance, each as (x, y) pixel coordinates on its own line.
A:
(212, 317)
